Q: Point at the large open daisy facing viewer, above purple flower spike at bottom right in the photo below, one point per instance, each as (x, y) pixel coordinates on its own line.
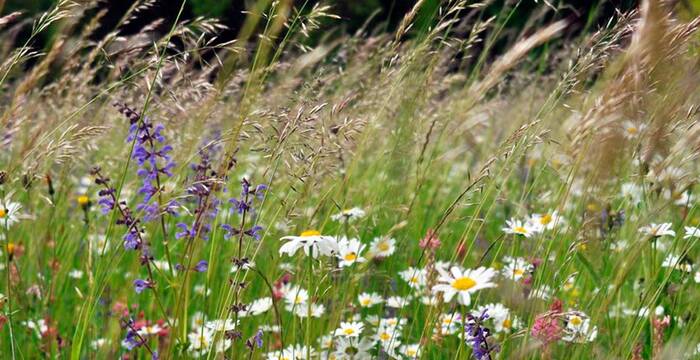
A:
(463, 282)
